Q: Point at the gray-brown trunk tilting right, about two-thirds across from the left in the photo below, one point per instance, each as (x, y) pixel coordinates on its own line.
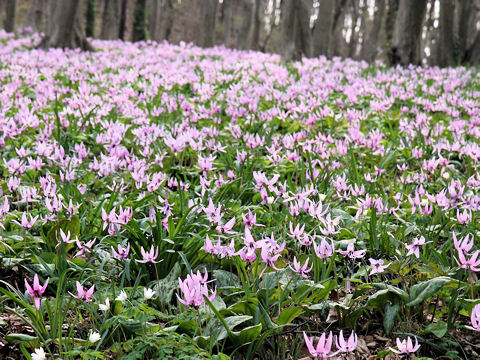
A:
(323, 27)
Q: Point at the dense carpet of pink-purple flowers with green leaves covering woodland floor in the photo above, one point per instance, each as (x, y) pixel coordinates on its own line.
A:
(170, 202)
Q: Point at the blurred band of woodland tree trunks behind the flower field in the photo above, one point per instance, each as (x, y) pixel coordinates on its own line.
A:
(428, 32)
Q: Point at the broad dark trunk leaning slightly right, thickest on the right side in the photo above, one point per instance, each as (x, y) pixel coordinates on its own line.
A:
(407, 32)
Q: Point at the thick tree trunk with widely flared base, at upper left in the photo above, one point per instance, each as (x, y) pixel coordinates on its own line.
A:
(66, 26)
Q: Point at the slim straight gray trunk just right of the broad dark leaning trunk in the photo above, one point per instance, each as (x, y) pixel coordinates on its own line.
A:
(445, 52)
